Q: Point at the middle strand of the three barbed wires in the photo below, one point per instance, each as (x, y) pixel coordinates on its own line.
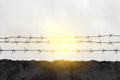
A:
(62, 42)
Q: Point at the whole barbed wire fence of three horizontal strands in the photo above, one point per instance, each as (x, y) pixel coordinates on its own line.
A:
(50, 40)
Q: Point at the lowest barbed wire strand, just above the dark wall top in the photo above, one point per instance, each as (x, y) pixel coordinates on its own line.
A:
(116, 50)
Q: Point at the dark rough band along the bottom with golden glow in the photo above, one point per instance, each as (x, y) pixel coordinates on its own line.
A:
(59, 70)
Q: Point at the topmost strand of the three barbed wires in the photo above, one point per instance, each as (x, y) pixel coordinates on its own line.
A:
(64, 36)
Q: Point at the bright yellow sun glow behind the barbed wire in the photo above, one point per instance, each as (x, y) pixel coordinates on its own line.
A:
(61, 40)
